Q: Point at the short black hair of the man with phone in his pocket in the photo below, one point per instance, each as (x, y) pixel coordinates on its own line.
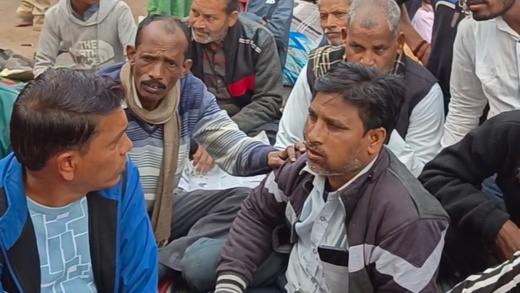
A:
(377, 96)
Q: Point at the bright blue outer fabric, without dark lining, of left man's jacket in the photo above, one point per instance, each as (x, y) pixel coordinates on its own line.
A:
(136, 255)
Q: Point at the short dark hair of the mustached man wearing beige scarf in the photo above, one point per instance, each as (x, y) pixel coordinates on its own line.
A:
(171, 24)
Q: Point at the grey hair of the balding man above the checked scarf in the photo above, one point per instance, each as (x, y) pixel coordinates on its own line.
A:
(369, 13)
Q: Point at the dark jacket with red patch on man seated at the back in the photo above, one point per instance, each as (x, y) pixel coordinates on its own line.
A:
(253, 73)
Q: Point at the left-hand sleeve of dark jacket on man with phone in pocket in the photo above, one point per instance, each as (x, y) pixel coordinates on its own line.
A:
(250, 239)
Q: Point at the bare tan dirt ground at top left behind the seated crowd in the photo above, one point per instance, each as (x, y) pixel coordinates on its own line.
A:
(23, 40)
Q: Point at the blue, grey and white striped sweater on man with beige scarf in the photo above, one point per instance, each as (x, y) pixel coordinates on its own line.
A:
(200, 119)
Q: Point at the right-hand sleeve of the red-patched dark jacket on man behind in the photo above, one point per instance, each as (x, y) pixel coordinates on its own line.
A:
(267, 98)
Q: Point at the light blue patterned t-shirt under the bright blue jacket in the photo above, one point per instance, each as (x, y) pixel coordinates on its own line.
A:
(62, 237)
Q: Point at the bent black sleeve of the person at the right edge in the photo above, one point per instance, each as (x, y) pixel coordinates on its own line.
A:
(455, 176)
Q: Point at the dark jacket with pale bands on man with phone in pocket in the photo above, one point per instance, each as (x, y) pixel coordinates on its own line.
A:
(395, 228)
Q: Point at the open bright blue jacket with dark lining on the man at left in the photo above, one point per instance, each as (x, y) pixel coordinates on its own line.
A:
(122, 245)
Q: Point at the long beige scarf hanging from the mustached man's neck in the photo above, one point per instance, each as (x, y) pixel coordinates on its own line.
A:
(165, 114)
